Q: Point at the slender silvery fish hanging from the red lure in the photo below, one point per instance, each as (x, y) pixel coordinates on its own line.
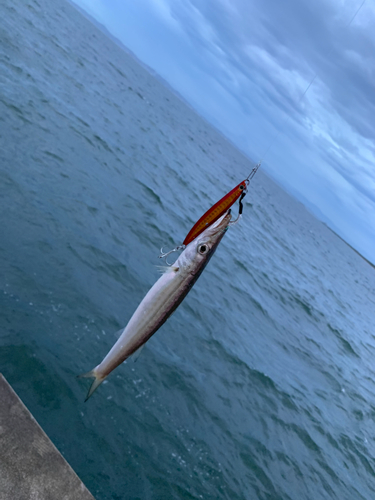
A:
(162, 299)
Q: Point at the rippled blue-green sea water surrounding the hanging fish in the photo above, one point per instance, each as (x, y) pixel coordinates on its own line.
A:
(261, 386)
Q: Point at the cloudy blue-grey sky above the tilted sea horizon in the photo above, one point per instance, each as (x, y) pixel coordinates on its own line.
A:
(245, 66)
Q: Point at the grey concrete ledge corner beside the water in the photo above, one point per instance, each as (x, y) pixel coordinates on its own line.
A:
(31, 468)
